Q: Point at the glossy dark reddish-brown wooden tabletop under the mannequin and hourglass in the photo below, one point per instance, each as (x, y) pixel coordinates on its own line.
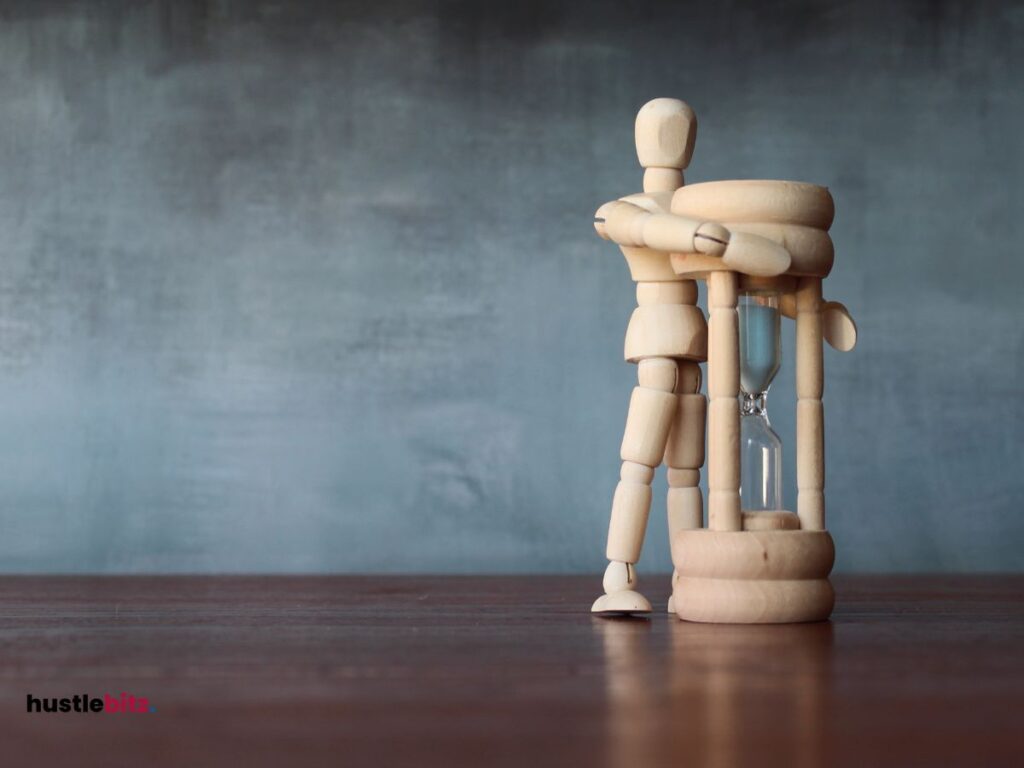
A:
(505, 671)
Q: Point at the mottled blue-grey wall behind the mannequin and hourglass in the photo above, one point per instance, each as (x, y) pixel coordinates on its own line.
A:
(289, 287)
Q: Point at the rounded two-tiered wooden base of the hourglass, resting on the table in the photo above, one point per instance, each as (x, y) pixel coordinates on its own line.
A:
(753, 577)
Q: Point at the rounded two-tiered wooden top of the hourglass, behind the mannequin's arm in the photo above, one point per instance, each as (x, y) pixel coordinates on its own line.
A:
(795, 215)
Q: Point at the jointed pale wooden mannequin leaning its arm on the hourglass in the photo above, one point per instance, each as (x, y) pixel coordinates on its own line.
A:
(667, 337)
